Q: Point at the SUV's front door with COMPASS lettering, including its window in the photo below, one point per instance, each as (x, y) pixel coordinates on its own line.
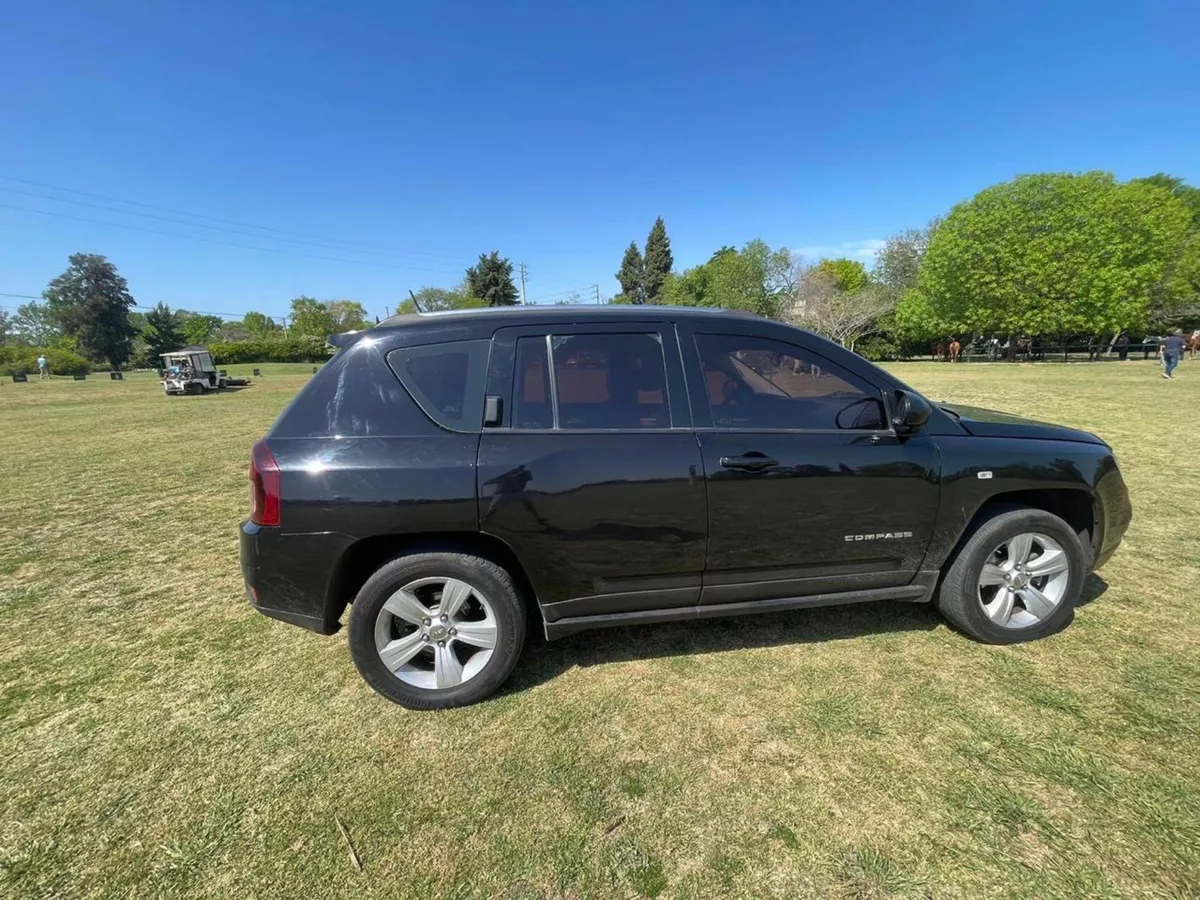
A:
(809, 490)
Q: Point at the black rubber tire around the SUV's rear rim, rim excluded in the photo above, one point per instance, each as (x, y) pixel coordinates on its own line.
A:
(483, 577)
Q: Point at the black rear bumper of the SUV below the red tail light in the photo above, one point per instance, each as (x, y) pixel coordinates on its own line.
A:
(289, 575)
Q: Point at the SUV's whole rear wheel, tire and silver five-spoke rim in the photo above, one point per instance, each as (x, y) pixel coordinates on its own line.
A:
(435, 631)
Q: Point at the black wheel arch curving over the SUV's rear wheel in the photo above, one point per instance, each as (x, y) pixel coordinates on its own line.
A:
(363, 559)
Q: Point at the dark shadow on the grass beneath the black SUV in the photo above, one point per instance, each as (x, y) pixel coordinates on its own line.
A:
(545, 661)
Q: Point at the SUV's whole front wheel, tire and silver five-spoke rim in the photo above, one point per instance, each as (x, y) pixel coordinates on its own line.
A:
(1016, 579)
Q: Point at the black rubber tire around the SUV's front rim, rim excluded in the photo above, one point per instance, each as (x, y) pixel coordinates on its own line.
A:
(959, 596)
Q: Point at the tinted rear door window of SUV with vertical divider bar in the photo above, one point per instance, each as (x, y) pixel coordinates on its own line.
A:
(595, 381)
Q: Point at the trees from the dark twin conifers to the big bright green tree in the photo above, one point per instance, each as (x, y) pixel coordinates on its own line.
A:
(1058, 256)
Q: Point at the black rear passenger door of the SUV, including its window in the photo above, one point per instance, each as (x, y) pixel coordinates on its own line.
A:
(592, 473)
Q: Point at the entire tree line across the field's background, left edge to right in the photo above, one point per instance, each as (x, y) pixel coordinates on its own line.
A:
(1054, 256)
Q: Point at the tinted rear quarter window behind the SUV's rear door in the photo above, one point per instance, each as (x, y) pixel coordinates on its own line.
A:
(446, 380)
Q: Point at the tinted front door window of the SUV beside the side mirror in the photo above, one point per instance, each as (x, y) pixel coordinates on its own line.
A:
(757, 383)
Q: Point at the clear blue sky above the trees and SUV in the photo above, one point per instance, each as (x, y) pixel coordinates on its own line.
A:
(554, 133)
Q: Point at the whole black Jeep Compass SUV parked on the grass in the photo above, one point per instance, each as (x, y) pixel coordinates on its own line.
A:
(454, 476)
